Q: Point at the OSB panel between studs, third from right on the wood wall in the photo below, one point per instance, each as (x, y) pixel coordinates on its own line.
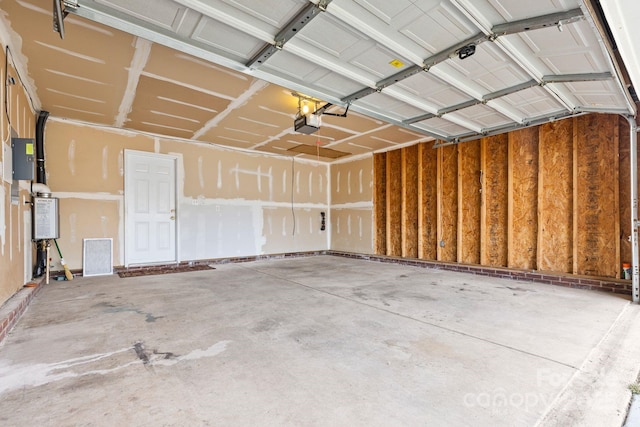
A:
(555, 197)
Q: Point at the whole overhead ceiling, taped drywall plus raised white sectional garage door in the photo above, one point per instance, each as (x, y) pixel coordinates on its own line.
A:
(223, 71)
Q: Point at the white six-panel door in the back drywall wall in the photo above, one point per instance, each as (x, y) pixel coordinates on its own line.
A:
(150, 208)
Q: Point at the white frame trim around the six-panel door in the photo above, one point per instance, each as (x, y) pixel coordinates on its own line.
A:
(174, 159)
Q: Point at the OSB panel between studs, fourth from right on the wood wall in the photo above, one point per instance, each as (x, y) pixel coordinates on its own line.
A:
(523, 199)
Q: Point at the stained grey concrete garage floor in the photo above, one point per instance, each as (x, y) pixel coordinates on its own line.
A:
(324, 341)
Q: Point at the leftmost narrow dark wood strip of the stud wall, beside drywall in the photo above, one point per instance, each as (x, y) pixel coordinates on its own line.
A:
(380, 203)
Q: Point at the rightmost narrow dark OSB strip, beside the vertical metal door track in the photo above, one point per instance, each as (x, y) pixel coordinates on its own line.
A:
(625, 189)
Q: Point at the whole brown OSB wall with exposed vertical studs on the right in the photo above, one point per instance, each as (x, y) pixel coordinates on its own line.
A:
(551, 198)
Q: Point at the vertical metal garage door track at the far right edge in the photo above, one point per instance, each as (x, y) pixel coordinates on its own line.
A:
(633, 155)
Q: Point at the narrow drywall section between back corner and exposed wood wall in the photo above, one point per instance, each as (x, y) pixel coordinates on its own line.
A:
(351, 214)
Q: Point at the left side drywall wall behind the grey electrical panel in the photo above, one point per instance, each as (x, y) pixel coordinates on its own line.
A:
(15, 214)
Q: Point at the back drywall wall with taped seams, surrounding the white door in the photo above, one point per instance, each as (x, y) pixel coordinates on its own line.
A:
(229, 203)
